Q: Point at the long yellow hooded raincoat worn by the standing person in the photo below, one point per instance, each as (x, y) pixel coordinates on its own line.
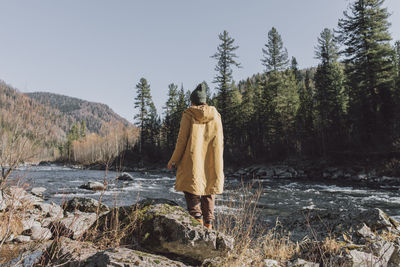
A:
(198, 152)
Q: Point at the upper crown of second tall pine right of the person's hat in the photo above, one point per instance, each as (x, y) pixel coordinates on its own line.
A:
(275, 56)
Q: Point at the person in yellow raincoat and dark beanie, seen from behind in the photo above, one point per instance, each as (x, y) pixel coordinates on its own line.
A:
(198, 155)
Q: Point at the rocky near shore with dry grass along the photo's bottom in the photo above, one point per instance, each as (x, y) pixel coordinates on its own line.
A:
(158, 232)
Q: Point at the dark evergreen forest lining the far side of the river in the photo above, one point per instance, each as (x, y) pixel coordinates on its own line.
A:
(349, 102)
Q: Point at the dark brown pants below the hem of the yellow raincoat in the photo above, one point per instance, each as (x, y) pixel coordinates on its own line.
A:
(201, 205)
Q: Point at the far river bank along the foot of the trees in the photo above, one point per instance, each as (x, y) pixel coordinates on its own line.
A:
(357, 172)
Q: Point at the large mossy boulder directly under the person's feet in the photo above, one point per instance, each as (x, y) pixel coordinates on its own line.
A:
(167, 228)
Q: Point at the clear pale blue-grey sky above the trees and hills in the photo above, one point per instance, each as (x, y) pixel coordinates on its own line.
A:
(98, 50)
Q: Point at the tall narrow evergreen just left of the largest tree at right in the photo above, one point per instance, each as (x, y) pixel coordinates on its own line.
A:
(330, 96)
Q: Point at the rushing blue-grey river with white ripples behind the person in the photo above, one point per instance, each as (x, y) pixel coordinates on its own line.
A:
(278, 197)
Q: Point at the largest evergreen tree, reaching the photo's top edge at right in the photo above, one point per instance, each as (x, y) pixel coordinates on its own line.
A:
(364, 33)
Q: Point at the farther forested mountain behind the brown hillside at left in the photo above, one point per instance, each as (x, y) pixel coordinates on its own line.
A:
(94, 114)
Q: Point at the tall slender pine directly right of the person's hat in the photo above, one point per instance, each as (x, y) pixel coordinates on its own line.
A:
(225, 57)
